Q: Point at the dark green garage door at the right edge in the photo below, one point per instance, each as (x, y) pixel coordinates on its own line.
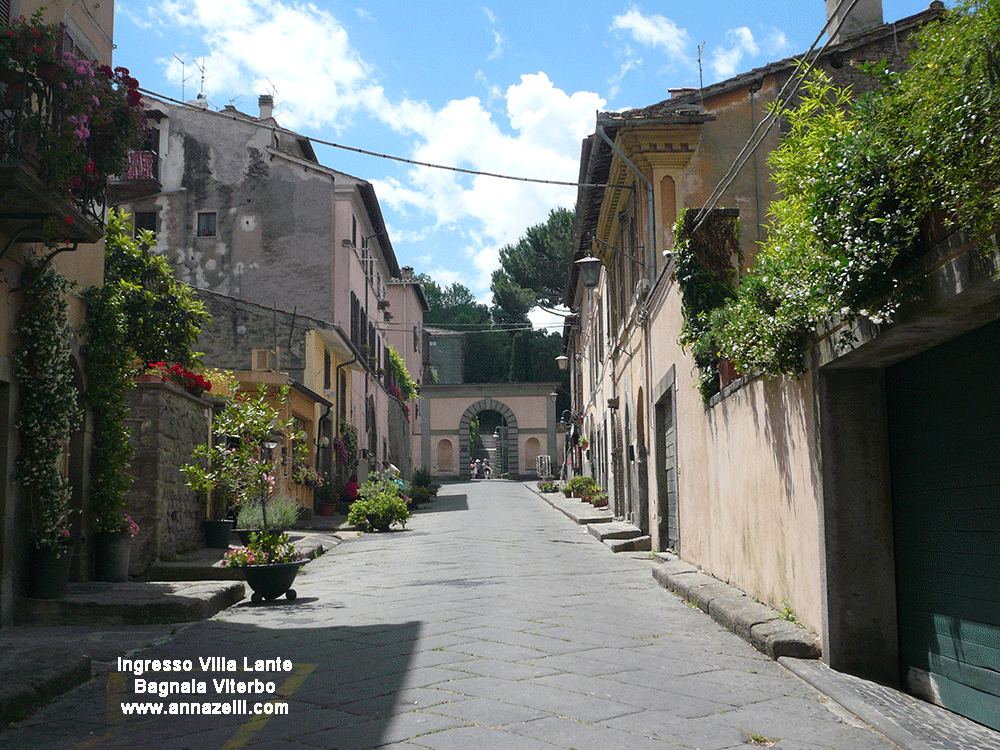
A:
(944, 418)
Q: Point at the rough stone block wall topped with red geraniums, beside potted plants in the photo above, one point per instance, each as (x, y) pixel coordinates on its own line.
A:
(166, 425)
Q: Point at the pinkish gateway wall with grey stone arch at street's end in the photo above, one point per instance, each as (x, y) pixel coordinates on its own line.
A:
(526, 411)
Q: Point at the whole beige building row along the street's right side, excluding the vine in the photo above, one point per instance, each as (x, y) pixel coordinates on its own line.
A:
(778, 486)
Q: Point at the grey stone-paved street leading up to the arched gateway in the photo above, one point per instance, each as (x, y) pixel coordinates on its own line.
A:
(490, 622)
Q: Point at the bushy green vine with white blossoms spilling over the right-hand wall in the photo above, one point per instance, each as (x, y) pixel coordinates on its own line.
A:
(859, 180)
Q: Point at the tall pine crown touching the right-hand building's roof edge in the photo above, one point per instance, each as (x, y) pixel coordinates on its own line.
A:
(535, 270)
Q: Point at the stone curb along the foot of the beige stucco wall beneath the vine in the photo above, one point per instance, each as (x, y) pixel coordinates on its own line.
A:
(756, 623)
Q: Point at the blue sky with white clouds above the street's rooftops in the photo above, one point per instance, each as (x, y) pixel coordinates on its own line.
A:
(500, 87)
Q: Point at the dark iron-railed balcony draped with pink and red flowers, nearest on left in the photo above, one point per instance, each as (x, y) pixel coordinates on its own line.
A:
(30, 209)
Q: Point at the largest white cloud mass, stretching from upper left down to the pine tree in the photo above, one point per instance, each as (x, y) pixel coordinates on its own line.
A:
(322, 81)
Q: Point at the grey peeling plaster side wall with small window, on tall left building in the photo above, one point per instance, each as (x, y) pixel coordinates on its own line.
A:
(274, 213)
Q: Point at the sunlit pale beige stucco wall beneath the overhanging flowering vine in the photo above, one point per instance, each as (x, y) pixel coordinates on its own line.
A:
(747, 480)
